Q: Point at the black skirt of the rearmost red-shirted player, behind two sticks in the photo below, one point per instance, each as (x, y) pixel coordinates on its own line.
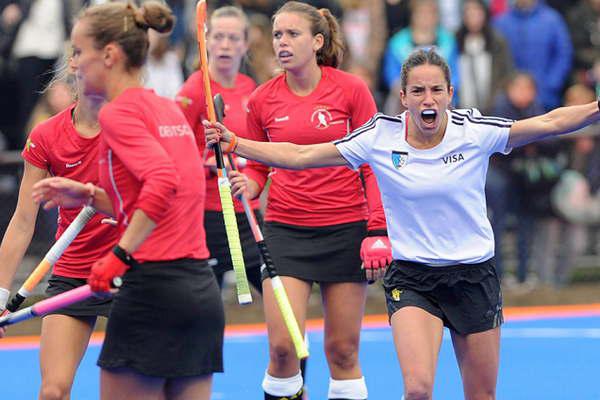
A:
(216, 240)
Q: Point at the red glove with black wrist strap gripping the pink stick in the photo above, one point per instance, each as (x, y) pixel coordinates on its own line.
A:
(114, 264)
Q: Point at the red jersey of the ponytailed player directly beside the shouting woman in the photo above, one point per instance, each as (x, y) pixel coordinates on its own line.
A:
(340, 103)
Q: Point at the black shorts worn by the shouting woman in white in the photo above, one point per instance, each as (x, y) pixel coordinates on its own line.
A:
(466, 297)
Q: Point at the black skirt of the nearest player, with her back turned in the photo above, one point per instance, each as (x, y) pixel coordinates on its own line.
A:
(167, 321)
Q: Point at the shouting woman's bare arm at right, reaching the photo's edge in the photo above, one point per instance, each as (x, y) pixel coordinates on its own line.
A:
(556, 122)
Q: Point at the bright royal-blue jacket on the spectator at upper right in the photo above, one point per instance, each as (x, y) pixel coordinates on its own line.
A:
(539, 41)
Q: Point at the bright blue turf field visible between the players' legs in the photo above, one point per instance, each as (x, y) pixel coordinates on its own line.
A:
(547, 359)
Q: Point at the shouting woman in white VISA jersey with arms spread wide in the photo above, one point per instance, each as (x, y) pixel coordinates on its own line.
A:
(431, 164)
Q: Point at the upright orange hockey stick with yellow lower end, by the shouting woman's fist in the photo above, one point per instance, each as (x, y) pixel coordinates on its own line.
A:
(233, 236)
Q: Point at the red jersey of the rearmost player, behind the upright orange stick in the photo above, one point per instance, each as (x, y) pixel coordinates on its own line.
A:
(192, 101)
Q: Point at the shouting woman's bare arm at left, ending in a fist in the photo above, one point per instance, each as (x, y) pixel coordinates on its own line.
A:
(282, 155)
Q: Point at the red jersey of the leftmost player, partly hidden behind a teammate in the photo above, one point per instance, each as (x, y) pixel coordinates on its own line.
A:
(55, 146)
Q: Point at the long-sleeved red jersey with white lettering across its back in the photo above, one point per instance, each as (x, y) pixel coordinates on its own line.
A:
(149, 161)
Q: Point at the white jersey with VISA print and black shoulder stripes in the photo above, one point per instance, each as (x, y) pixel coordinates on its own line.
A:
(434, 199)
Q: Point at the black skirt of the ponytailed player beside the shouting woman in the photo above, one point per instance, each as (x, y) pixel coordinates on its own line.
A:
(317, 254)
